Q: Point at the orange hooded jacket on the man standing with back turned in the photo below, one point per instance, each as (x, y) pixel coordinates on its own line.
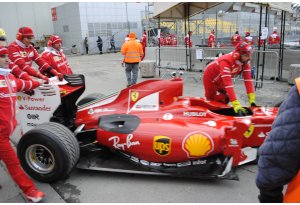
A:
(132, 50)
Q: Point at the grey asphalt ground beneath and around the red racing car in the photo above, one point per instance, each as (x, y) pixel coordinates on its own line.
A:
(104, 74)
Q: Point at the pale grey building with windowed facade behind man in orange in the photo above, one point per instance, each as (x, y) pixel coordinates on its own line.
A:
(78, 20)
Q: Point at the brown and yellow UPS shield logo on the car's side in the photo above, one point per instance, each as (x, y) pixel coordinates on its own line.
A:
(162, 145)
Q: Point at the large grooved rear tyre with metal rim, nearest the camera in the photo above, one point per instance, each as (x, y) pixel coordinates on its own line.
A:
(48, 152)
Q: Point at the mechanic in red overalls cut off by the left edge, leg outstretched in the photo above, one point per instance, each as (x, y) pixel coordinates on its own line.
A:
(9, 85)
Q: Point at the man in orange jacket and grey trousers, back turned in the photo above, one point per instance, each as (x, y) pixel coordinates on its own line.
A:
(133, 51)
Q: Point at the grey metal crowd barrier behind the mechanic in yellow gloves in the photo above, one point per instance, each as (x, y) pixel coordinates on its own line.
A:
(194, 60)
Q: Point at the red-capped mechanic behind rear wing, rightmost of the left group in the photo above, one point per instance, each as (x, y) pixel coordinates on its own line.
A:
(55, 56)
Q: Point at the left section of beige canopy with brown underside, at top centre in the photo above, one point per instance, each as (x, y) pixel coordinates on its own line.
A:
(177, 10)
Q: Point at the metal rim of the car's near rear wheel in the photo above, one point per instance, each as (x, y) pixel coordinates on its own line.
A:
(40, 159)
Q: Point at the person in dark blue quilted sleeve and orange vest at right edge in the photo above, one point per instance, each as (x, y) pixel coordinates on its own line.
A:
(279, 155)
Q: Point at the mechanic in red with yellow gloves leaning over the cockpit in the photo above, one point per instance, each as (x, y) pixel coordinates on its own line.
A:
(217, 78)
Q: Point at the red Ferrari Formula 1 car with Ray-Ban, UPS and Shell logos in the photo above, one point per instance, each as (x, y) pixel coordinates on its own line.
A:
(148, 128)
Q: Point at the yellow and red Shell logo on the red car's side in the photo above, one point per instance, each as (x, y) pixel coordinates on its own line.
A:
(197, 144)
